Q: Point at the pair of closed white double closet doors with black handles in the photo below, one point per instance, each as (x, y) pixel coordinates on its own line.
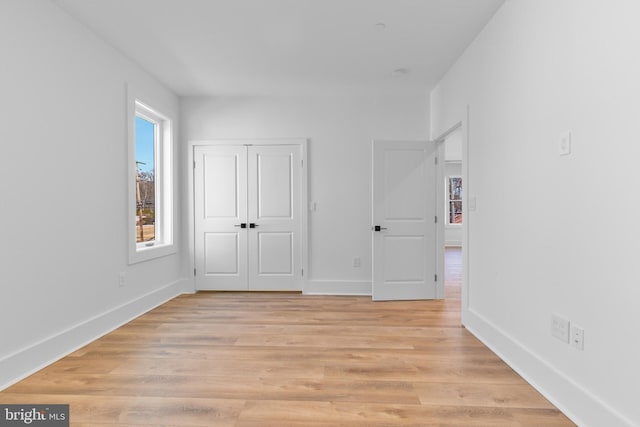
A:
(247, 217)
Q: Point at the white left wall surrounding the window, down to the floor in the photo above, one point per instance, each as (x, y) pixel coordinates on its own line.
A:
(63, 169)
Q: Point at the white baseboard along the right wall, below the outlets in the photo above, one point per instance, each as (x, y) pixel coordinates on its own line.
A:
(576, 402)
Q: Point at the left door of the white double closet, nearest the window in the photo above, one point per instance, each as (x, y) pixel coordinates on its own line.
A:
(220, 187)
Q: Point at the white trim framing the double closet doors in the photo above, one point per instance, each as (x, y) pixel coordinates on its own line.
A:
(304, 200)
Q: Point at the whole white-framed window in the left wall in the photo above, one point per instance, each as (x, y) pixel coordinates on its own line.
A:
(150, 192)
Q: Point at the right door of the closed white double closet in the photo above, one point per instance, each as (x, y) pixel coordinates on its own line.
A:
(274, 217)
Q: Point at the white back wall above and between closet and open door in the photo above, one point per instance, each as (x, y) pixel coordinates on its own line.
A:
(340, 130)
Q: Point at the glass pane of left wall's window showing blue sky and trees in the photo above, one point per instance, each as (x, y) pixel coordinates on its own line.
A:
(145, 180)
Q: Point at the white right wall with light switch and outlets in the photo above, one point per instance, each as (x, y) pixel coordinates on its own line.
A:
(541, 240)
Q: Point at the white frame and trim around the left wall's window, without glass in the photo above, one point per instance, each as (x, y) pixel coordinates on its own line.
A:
(163, 243)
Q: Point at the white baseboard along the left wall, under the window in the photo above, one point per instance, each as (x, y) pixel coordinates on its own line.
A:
(29, 360)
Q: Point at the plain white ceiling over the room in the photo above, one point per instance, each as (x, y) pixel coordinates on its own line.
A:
(243, 47)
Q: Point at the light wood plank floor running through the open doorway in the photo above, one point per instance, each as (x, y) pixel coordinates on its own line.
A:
(248, 360)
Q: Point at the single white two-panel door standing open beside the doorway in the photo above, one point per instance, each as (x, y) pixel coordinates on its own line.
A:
(404, 220)
